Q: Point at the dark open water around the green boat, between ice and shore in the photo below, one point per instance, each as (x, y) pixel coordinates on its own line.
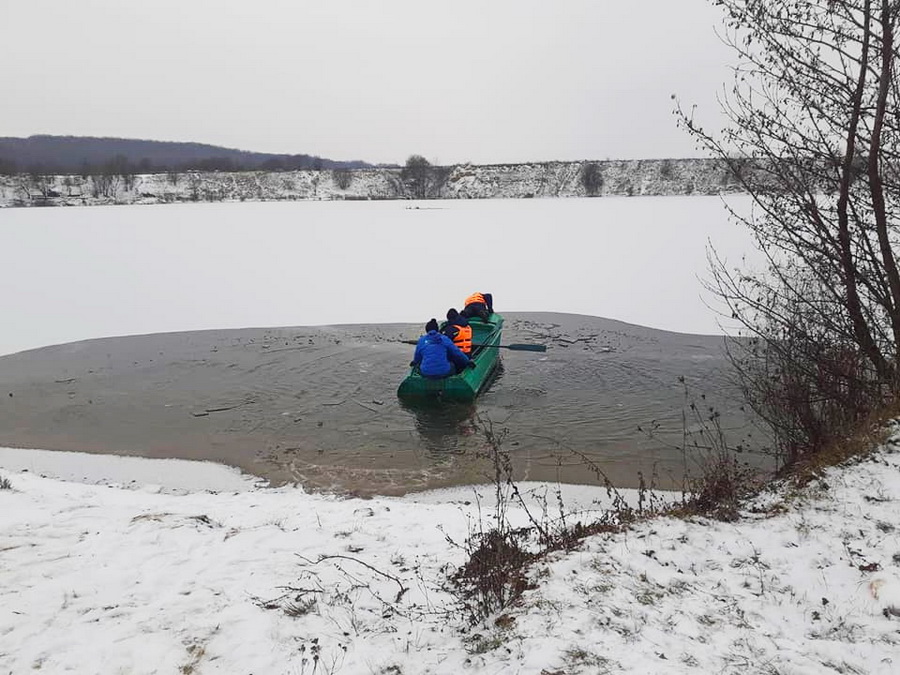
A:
(318, 405)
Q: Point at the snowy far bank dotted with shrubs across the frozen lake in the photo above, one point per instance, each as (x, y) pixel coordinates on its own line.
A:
(553, 179)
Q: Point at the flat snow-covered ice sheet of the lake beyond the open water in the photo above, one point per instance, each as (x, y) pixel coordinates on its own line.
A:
(78, 273)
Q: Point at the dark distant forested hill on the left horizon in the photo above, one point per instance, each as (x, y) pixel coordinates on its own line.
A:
(85, 155)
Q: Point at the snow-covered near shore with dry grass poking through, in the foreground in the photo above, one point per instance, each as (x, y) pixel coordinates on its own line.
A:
(104, 578)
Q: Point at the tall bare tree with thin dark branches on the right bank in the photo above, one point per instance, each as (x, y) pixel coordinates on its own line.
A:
(813, 136)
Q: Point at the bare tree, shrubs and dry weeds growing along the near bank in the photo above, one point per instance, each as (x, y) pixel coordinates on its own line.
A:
(816, 108)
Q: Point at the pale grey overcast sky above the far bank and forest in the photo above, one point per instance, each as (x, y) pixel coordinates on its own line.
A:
(471, 80)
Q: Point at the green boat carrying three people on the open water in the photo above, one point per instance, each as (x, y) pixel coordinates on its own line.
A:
(466, 385)
